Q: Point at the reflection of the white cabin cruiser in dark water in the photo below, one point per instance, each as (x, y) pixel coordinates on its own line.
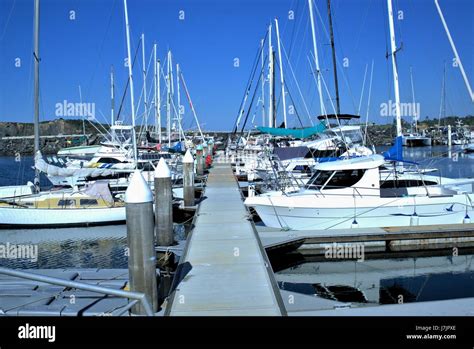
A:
(381, 281)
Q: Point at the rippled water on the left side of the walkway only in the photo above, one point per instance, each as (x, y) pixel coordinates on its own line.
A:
(93, 247)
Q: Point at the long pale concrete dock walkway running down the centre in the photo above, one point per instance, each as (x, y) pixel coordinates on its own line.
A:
(230, 273)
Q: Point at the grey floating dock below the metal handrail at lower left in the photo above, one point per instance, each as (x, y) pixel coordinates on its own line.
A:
(22, 297)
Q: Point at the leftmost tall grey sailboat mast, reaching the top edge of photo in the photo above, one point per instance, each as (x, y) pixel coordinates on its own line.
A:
(36, 87)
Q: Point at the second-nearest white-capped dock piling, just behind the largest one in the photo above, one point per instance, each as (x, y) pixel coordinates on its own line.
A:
(163, 205)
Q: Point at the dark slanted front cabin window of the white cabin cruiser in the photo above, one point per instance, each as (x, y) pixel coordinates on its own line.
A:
(335, 179)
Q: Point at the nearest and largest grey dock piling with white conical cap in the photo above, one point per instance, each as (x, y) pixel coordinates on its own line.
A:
(140, 239)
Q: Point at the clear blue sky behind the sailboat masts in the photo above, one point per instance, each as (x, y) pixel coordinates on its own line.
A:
(80, 52)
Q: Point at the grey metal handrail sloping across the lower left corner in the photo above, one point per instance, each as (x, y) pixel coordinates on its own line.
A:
(81, 286)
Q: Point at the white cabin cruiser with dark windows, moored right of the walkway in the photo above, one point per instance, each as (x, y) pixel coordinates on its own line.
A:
(357, 192)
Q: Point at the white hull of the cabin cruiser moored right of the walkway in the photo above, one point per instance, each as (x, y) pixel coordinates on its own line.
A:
(385, 212)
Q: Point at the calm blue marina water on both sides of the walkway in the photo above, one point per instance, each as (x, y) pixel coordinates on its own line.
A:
(372, 281)
